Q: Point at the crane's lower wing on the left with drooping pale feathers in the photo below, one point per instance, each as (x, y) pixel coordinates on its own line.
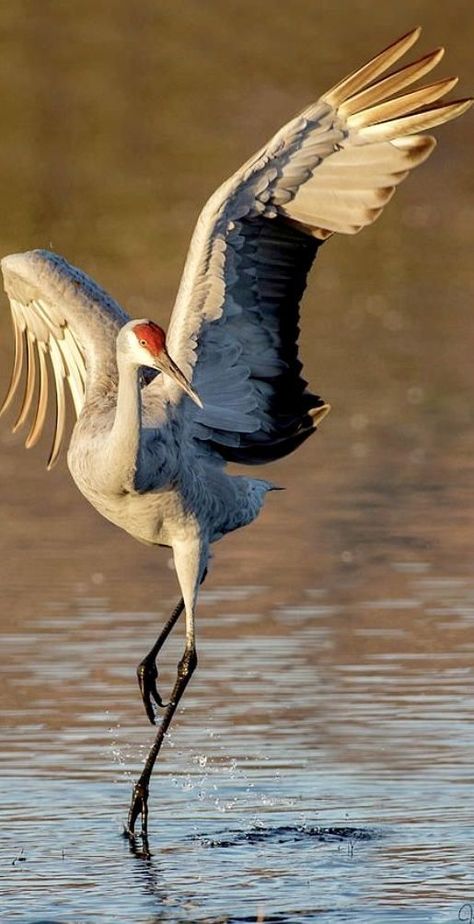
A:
(63, 319)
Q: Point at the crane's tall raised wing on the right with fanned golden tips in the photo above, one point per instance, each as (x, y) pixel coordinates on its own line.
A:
(234, 327)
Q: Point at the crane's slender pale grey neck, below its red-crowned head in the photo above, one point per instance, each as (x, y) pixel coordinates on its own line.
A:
(124, 440)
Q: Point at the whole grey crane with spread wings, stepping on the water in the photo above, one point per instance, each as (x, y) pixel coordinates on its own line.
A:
(149, 450)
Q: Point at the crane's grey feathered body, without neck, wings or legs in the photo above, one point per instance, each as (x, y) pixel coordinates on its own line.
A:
(168, 494)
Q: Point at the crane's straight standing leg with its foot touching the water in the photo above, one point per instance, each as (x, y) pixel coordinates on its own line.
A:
(190, 568)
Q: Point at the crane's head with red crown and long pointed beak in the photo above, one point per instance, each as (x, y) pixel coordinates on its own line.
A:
(144, 344)
